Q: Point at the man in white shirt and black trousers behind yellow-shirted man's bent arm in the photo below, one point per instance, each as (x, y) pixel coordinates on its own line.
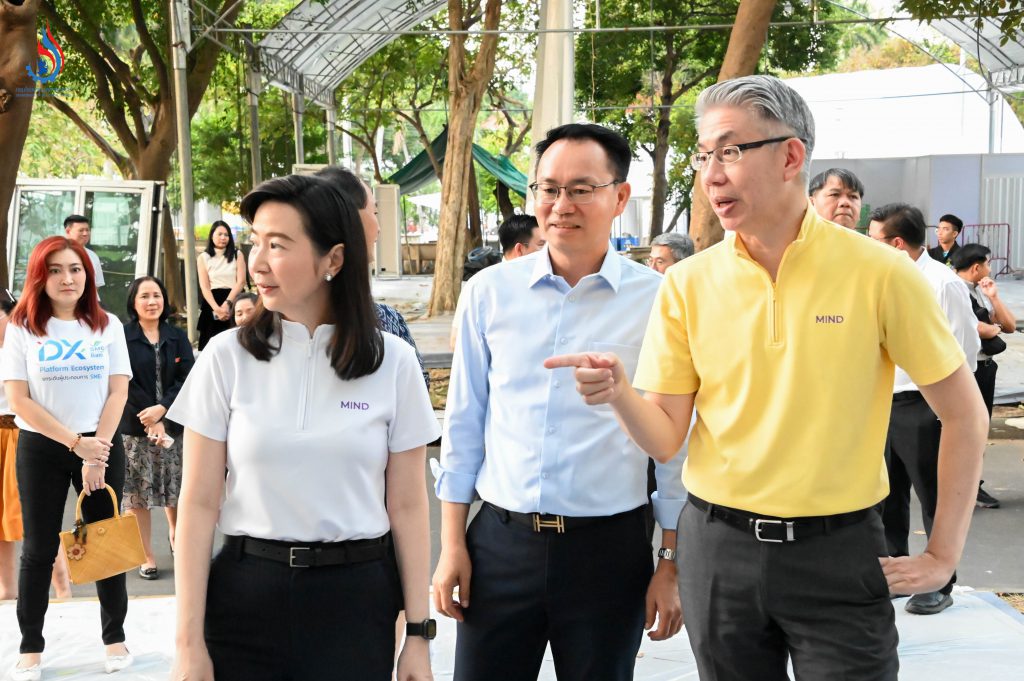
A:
(913, 445)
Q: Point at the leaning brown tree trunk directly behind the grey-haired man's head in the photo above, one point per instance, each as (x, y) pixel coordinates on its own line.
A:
(746, 42)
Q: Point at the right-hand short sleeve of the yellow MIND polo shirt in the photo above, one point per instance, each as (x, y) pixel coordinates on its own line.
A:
(915, 331)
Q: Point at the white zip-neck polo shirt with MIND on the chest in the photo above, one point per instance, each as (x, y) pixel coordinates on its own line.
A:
(307, 451)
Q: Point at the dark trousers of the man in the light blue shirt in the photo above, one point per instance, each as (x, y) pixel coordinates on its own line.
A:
(582, 591)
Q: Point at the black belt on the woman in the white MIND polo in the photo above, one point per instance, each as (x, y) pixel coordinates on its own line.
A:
(312, 555)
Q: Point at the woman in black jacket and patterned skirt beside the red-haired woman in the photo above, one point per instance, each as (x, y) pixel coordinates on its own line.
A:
(161, 359)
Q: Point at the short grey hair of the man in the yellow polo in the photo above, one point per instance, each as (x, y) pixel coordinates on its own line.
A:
(772, 100)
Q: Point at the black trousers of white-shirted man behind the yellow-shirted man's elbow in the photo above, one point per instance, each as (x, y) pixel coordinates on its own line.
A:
(912, 460)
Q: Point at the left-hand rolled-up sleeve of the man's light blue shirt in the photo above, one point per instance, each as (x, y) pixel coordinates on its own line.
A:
(466, 411)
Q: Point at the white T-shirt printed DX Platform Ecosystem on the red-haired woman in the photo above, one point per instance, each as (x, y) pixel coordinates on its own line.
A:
(68, 370)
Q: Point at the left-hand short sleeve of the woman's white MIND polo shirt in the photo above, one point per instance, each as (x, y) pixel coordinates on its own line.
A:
(204, 402)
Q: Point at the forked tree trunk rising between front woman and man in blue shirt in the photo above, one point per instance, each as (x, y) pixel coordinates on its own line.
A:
(466, 88)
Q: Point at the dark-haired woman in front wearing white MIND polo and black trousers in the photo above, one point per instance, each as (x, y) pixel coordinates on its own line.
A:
(314, 412)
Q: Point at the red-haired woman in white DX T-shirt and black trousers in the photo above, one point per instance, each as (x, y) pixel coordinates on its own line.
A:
(66, 375)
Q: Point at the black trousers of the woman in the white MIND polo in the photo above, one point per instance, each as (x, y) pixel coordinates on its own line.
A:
(269, 622)
